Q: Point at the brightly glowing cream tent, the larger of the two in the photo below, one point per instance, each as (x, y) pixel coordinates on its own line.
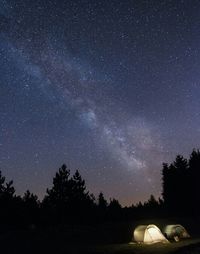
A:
(148, 234)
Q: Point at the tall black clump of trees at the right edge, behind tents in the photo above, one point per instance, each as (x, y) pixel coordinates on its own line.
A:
(180, 181)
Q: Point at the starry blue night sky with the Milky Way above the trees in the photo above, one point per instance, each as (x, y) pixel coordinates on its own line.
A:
(108, 87)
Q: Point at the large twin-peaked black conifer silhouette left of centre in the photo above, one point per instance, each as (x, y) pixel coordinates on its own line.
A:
(68, 196)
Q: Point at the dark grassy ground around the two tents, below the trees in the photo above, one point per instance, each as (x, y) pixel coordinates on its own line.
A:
(110, 238)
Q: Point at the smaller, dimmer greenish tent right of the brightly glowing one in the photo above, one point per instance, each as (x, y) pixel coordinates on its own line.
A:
(177, 230)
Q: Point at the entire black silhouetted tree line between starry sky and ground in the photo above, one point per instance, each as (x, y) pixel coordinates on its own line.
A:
(69, 202)
